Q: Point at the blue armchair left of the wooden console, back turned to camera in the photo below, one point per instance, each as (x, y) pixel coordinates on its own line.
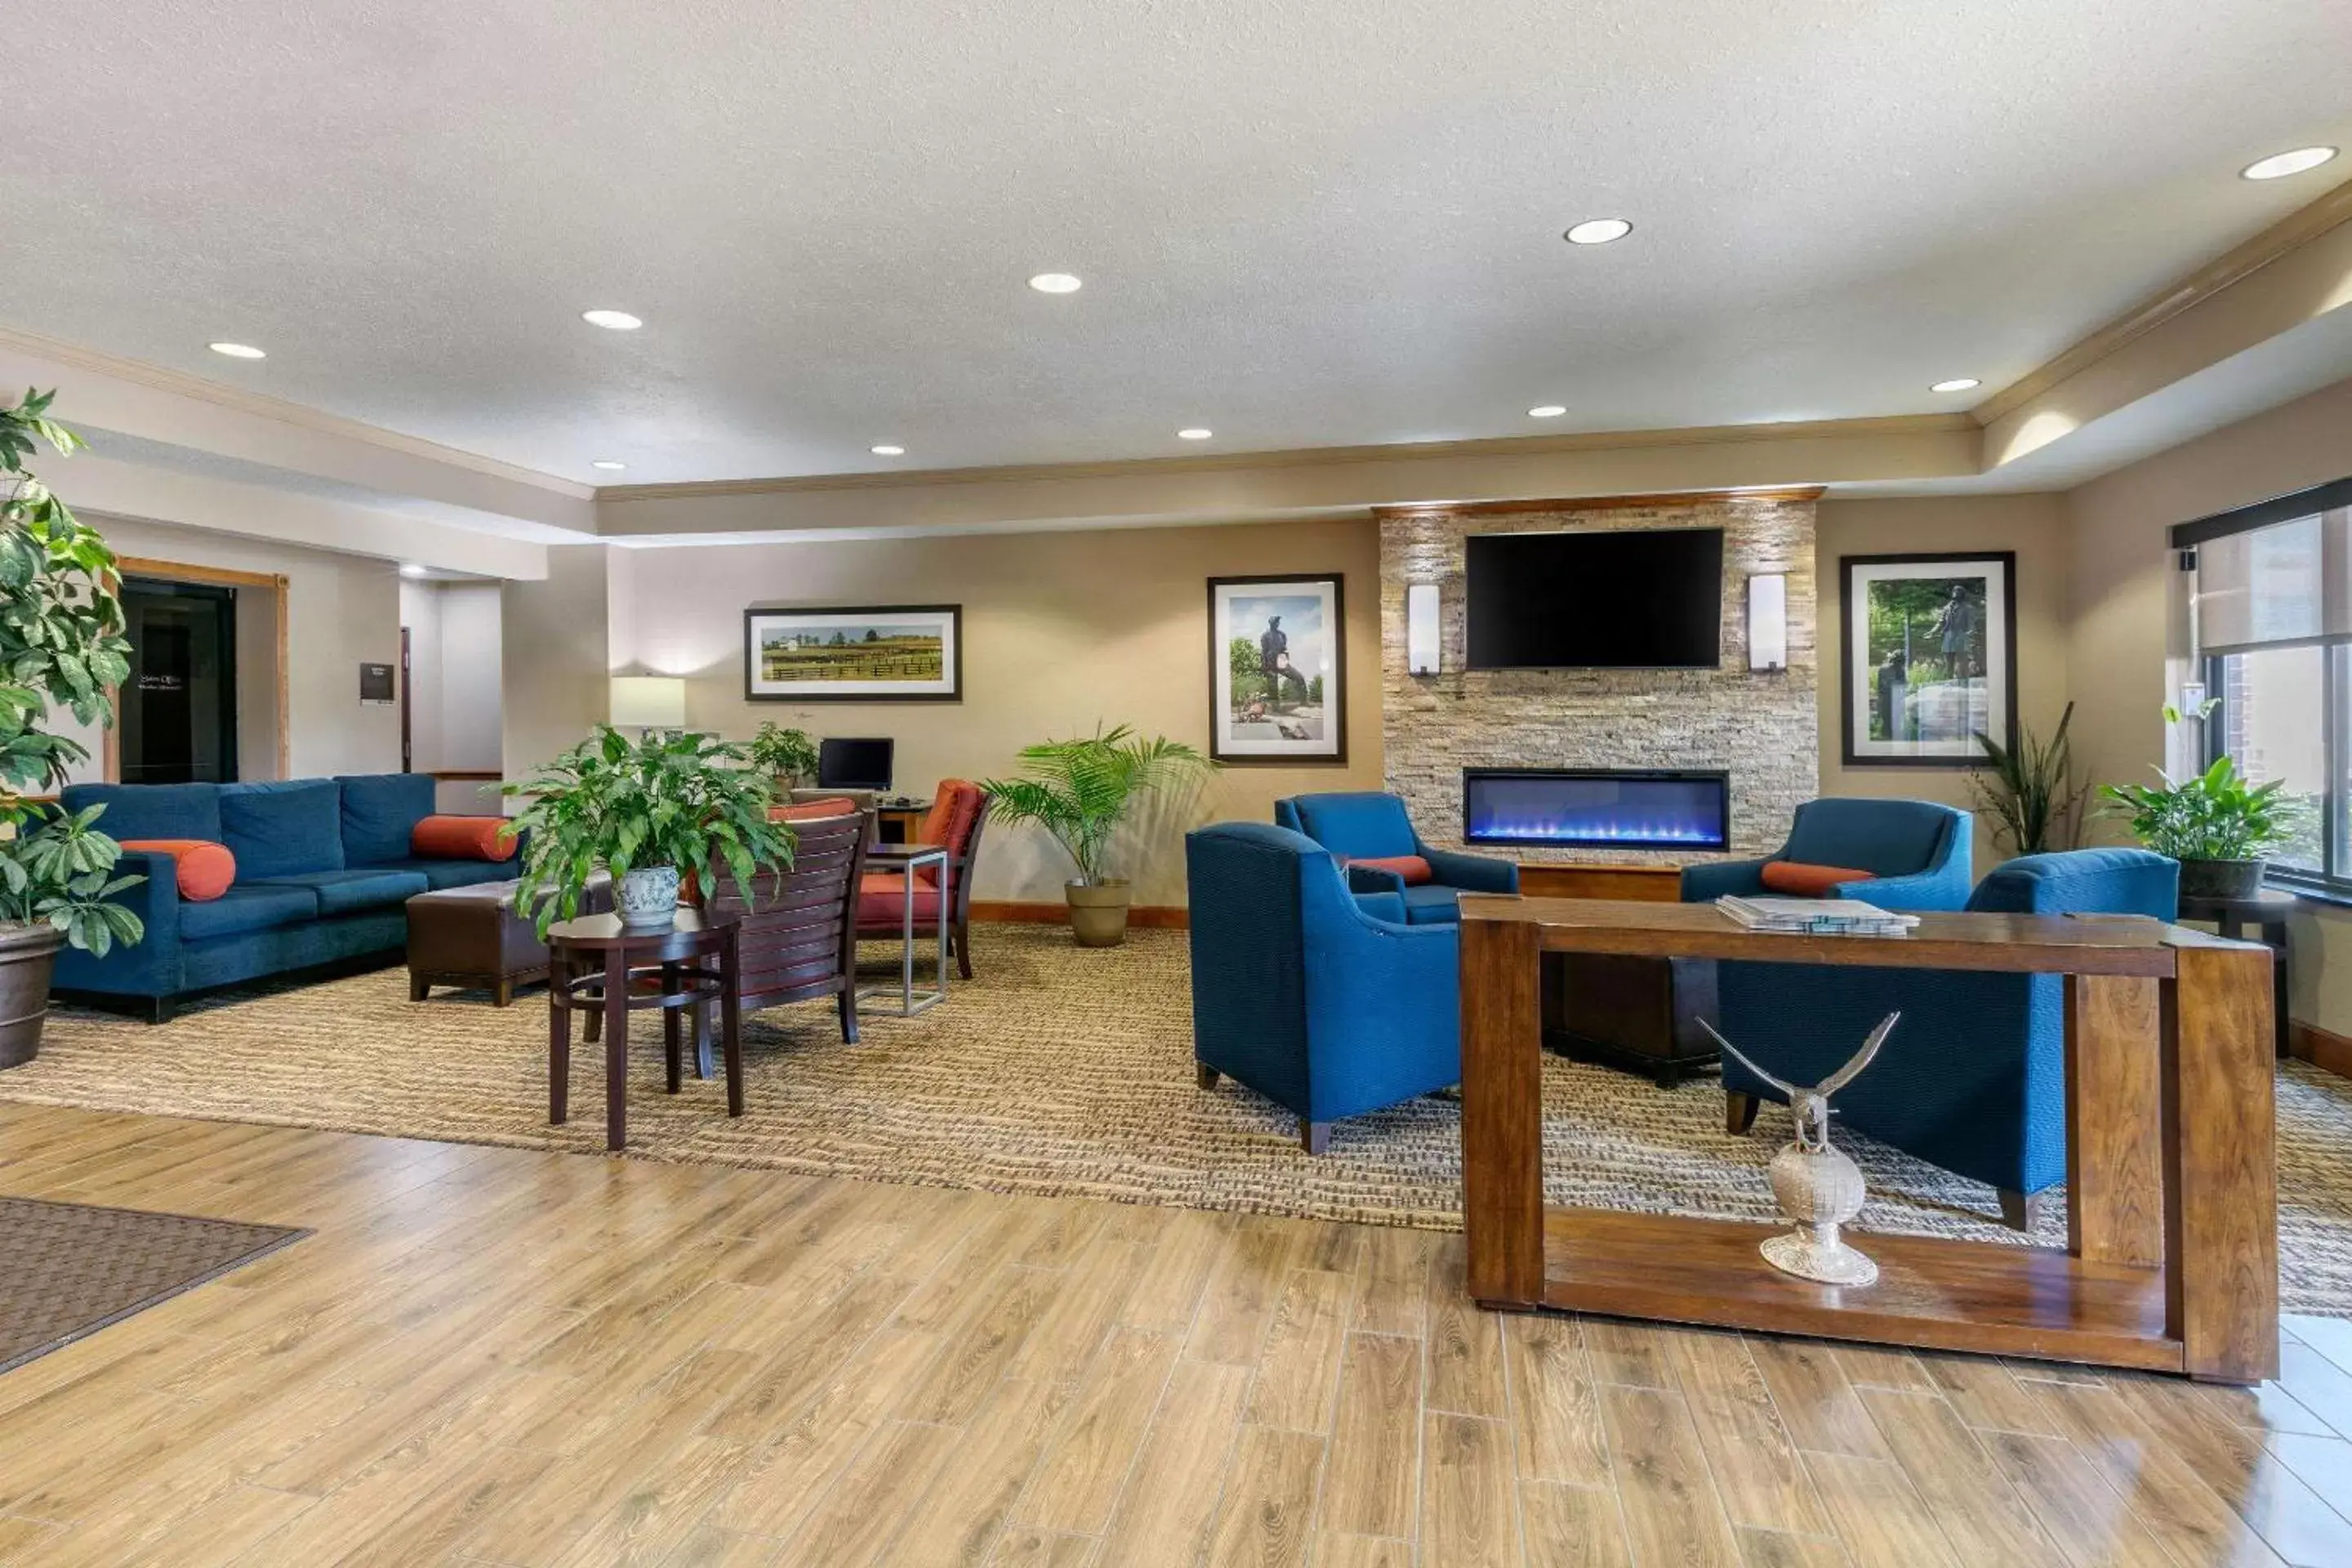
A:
(1325, 1003)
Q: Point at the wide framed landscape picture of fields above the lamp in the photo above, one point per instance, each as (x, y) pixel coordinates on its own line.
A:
(881, 655)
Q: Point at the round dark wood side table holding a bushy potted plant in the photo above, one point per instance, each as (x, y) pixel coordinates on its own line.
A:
(592, 963)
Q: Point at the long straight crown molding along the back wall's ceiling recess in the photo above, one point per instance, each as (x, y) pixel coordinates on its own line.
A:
(1304, 457)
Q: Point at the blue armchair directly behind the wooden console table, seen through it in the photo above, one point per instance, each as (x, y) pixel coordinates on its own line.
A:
(1975, 1076)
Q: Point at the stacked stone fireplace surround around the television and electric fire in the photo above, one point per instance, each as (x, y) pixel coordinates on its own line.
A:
(1756, 728)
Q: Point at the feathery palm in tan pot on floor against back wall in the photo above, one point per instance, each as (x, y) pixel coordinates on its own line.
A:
(1081, 791)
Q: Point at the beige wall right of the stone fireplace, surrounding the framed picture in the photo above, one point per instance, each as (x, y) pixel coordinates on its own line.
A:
(2029, 525)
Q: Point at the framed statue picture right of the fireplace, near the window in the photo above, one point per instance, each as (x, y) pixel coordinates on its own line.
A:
(1930, 657)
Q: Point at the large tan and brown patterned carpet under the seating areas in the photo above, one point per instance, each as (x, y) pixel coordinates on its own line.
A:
(1055, 1073)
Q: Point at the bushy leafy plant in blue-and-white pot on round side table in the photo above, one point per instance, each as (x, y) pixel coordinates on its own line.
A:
(648, 812)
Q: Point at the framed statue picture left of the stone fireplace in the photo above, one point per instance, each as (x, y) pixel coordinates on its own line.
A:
(1278, 669)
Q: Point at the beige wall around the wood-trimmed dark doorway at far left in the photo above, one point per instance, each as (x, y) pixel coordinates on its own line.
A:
(342, 612)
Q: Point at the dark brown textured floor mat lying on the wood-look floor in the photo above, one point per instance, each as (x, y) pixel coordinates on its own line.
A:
(74, 1268)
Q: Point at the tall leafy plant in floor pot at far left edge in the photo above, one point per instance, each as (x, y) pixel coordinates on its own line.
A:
(60, 648)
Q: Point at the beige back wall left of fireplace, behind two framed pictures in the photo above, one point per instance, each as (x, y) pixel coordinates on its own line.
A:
(1062, 634)
